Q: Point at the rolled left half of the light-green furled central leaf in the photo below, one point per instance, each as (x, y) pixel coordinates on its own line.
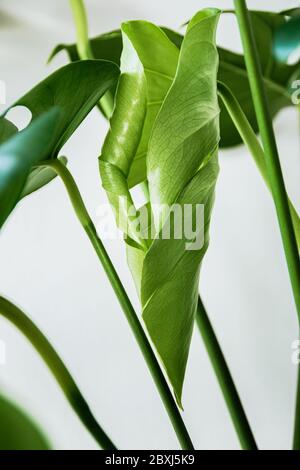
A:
(148, 66)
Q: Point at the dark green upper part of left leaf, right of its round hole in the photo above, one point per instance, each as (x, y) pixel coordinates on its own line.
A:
(75, 89)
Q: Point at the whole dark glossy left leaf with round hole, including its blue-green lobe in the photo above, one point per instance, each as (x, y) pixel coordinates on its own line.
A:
(73, 90)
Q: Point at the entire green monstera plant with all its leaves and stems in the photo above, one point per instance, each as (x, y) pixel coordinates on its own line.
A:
(171, 100)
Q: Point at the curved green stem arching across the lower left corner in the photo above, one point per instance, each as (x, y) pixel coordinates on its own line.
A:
(58, 369)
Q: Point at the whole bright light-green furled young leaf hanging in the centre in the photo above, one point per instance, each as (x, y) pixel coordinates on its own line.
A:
(166, 104)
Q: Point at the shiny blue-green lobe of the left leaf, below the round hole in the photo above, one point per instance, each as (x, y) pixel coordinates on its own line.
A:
(19, 154)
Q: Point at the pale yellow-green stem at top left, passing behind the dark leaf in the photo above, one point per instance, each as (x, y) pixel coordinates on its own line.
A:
(85, 51)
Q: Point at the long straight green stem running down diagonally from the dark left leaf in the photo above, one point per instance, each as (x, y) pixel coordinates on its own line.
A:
(131, 316)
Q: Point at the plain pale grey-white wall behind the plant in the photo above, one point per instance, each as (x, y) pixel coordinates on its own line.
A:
(49, 269)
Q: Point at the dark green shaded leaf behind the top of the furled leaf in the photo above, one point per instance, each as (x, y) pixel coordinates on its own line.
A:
(232, 70)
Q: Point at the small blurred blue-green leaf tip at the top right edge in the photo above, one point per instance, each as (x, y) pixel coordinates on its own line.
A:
(287, 38)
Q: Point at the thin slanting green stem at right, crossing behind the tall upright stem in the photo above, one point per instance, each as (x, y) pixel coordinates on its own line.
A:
(250, 140)
